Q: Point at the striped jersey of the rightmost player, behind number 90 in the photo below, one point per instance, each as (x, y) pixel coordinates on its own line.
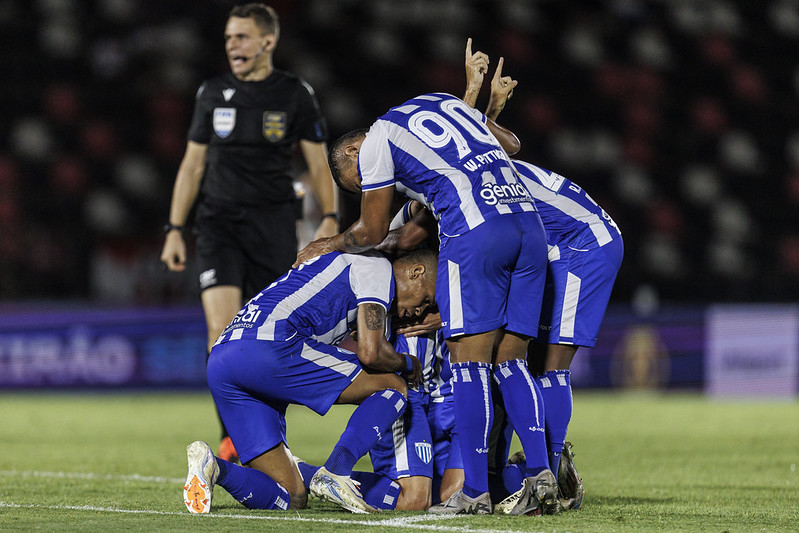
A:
(571, 217)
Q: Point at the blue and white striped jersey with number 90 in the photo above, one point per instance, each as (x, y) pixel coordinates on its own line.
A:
(436, 149)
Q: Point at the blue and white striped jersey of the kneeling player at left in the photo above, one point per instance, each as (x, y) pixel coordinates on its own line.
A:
(318, 299)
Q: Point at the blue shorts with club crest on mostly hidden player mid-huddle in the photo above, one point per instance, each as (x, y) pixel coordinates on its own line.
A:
(408, 449)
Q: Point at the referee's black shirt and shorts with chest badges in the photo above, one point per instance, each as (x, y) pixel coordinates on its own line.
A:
(245, 223)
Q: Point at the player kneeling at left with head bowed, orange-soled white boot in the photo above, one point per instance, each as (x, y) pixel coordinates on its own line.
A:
(282, 348)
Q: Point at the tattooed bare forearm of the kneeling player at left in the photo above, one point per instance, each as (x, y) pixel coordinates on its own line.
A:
(374, 351)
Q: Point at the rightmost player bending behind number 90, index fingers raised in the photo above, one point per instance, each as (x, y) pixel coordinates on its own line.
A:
(585, 253)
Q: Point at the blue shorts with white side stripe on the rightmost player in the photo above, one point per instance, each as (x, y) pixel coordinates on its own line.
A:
(577, 292)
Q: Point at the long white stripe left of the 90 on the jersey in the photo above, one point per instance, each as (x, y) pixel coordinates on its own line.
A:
(427, 157)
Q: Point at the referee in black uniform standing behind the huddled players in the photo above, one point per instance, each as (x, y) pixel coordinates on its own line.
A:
(239, 152)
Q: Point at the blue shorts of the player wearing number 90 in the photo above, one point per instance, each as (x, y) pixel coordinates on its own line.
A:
(493, 276)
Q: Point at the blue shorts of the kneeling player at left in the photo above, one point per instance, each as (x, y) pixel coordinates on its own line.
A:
(253, 382)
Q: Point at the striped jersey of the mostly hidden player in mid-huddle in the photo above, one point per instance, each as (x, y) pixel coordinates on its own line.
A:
(432, 352)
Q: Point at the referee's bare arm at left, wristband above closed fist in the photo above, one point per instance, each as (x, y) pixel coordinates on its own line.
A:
(184, 193)
